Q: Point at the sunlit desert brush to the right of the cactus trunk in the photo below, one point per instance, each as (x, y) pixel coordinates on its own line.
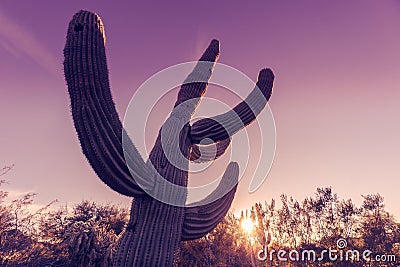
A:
(316, 223)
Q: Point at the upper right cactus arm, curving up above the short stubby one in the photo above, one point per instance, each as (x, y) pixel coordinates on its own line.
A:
(257, 99)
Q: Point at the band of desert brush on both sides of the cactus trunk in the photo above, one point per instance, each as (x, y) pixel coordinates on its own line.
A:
(87, 234)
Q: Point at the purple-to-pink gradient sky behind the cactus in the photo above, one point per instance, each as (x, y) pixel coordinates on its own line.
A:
(335, 99)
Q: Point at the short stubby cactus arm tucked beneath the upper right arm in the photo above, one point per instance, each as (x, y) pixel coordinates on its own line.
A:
(204, 153)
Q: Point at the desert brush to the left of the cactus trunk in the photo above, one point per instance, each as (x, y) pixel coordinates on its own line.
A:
(85, 236)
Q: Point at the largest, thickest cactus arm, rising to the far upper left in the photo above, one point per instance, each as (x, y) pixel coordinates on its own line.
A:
(95, 117)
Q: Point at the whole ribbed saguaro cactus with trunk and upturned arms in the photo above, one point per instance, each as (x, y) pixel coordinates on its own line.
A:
(155, 228)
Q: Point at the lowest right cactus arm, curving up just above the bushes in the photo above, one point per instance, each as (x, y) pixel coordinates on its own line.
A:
(200, 218)
